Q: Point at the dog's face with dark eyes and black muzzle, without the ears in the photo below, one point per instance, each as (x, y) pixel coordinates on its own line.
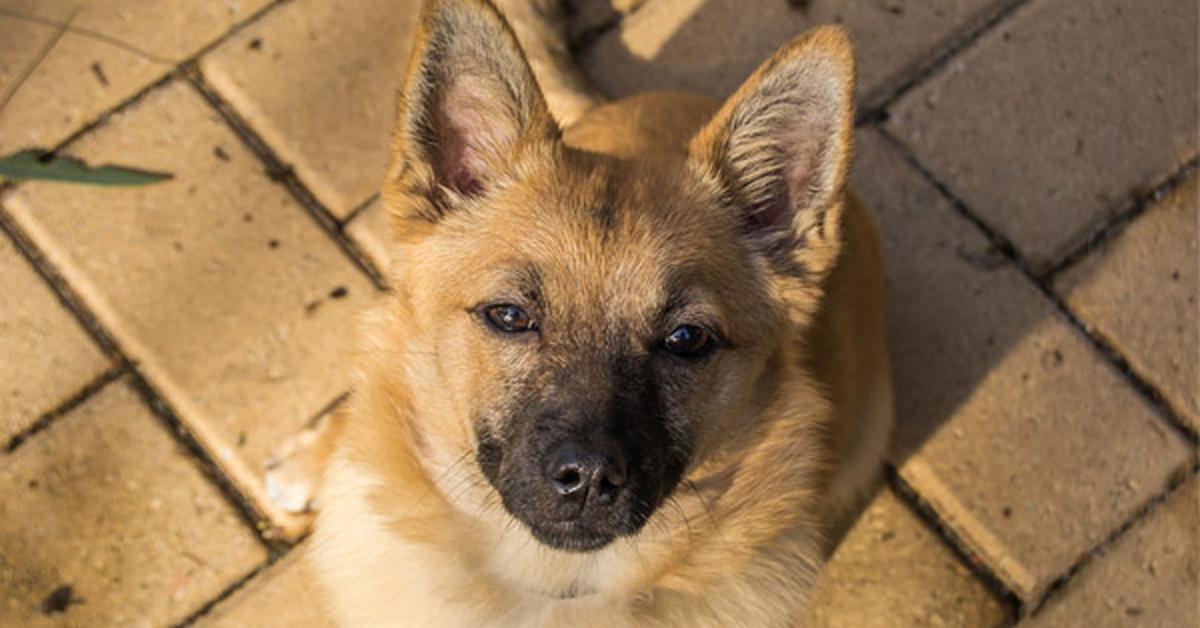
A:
(596, 333)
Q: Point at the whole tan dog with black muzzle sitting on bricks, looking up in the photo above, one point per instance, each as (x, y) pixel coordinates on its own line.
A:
(634, 369)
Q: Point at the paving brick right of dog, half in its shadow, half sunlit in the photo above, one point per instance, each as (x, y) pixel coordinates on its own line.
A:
(1030, 446)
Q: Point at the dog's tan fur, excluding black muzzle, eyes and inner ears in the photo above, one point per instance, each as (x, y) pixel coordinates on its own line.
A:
(793, 423)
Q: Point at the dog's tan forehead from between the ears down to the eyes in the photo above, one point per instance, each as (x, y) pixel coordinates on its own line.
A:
(614, 241)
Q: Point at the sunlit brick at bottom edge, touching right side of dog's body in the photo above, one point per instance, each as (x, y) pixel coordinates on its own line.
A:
(892, 571)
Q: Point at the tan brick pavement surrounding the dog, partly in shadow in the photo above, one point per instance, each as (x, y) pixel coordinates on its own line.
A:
(1033, 165)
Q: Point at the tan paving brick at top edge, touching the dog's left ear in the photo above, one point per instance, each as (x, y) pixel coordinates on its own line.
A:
(319, 81)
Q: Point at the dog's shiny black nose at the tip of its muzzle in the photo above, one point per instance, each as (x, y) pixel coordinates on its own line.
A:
(595, 473)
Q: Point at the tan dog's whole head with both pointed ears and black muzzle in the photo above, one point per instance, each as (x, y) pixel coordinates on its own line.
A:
(589, 328)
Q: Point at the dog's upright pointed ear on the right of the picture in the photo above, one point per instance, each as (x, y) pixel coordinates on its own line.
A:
(781, 147)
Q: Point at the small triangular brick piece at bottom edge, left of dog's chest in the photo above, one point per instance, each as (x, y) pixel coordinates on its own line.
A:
(285, 596)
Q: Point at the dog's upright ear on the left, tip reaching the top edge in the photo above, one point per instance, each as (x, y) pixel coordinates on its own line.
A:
(470, 104)
